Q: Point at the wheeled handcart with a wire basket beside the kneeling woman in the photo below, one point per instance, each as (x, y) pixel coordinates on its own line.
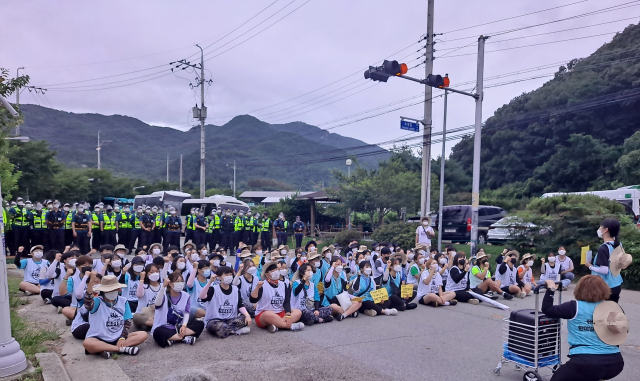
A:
(532, 340)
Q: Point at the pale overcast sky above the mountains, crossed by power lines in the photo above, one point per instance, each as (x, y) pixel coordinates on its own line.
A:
(321, 42)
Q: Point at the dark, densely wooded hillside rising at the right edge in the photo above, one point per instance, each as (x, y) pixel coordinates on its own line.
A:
(574, 133)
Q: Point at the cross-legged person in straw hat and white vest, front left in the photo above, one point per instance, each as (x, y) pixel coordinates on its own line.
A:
(109, 319)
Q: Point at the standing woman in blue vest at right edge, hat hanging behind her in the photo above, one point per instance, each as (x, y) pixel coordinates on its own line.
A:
(603, 264)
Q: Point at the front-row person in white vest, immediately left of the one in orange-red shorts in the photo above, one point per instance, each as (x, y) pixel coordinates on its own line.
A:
(225, 313)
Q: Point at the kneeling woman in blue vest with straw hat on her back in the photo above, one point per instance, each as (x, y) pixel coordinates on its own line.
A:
(596, 329)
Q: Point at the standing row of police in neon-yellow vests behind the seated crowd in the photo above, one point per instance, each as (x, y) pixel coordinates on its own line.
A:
(53, 227)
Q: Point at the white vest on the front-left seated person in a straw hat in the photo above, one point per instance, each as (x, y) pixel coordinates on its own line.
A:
(106, 322)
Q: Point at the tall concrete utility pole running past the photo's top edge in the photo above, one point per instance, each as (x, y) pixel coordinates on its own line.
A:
(425, 196)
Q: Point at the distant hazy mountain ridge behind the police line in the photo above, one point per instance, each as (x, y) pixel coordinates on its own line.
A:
(261, 150)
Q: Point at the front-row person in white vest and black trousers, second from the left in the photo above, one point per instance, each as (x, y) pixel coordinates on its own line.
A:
(171, 321)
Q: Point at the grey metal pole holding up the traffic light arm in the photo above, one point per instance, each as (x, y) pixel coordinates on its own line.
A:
(475, 189)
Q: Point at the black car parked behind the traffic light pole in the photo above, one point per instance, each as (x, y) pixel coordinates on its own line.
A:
(456, 222)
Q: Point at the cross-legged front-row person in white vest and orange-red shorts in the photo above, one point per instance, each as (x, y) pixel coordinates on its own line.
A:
(273, 302)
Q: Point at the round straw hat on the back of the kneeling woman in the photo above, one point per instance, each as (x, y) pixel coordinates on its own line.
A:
(610, 323)
